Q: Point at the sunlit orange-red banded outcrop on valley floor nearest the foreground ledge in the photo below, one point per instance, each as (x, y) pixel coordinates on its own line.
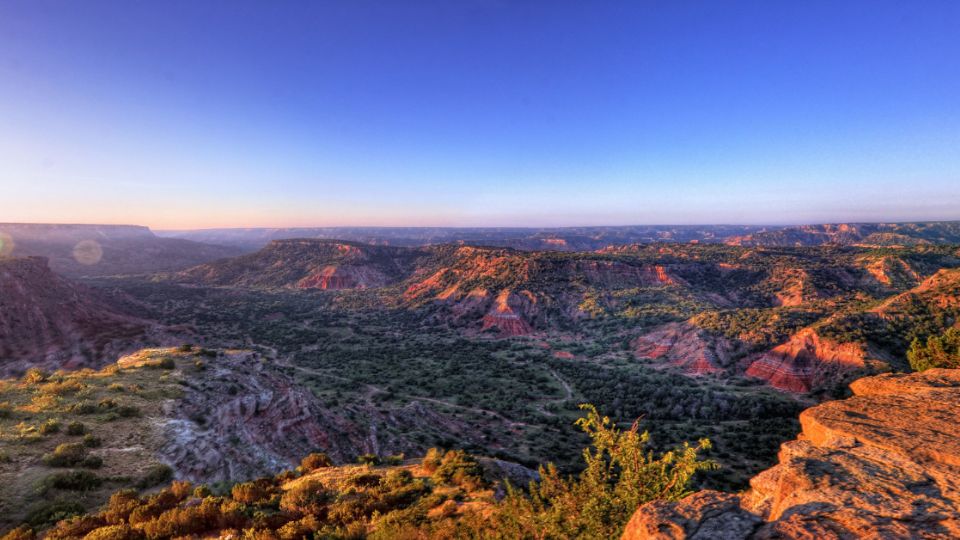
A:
(808, 362)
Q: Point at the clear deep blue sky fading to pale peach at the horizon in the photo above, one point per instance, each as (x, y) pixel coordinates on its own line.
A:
(193, 114)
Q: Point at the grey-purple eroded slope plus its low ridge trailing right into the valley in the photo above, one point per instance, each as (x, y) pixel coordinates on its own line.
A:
(236, 415)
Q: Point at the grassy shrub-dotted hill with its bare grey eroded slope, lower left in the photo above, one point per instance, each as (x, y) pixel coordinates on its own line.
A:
(196, 414)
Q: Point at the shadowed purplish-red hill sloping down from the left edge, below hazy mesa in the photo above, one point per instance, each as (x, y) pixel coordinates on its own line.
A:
(50, 322)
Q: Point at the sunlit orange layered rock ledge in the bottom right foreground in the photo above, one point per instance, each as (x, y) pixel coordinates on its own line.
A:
(883, 464)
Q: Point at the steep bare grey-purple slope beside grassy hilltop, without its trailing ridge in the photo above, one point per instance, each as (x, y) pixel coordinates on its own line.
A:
(243, 418)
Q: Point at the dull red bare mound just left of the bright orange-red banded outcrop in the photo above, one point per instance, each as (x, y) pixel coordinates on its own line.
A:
(685, 346)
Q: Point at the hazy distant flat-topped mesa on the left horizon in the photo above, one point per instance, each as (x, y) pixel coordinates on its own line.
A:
(99, 250)
